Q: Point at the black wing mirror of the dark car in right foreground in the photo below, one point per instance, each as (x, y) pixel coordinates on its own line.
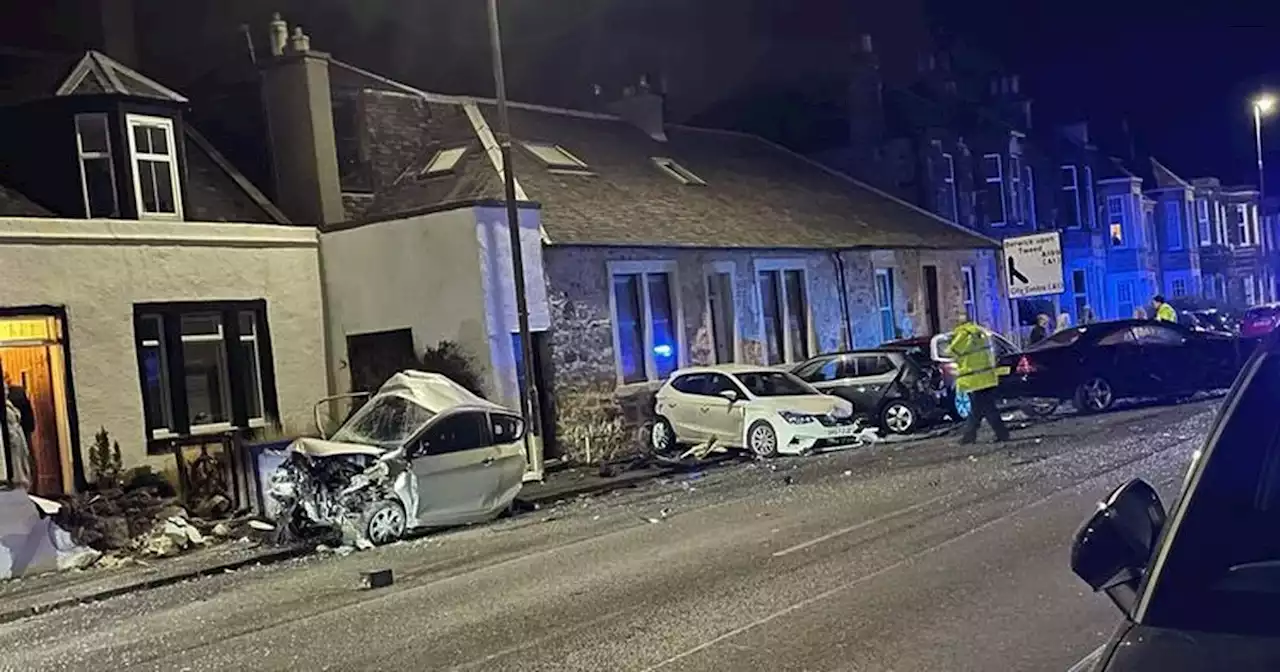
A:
(1112, 551)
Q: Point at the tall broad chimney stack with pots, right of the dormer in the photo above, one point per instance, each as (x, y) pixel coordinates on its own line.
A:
(300, 125)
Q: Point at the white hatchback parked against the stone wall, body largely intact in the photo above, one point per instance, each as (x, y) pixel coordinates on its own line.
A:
(764, 410)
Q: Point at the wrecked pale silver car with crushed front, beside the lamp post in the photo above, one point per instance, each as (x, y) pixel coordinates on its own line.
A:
(423, 452)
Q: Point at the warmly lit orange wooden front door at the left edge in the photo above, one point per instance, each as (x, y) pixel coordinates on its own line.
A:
(29, 367)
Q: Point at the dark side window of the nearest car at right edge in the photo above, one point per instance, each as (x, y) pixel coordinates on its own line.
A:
(1222, 572)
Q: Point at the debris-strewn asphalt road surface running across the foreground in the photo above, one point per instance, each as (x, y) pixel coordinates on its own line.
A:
(915, 557)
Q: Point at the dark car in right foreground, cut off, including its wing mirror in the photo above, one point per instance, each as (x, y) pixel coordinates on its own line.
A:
(1197, 586)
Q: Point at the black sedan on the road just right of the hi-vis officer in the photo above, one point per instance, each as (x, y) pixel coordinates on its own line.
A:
(1098, 364)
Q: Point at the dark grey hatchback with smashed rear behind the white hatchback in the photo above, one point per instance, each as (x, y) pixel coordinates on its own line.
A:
(899, 388)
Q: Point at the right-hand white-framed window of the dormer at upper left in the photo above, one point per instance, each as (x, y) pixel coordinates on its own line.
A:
(156, 167)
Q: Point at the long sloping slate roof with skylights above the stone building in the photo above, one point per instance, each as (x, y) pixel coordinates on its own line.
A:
(757, 194)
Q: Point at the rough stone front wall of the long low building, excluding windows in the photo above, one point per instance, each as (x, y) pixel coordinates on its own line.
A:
(587, 385)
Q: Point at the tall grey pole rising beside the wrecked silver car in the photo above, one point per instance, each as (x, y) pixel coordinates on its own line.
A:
(529, 391)
